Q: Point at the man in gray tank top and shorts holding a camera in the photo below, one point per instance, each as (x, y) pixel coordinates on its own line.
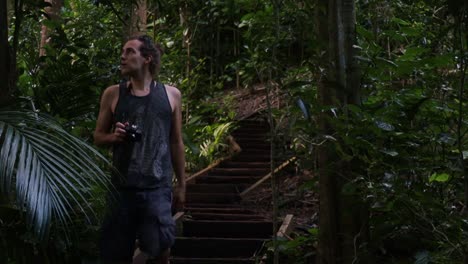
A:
(142, 120)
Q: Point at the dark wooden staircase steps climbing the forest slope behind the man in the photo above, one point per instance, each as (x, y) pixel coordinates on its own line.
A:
(216, 227)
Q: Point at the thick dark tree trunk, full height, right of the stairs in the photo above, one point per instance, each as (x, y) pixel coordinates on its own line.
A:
(340, 223)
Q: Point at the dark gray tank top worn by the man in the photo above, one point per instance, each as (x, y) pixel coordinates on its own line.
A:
(145, 164)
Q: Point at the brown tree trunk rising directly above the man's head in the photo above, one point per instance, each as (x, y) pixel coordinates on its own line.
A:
(138, 19)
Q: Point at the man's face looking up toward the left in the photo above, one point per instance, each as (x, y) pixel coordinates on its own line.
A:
(131, 60)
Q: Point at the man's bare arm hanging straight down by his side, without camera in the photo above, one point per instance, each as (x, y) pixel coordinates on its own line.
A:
(177, 148)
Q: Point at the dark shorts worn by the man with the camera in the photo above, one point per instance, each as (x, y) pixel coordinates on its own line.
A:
(143, 215)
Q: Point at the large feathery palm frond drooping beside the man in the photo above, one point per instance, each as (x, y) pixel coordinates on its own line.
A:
(48, 172)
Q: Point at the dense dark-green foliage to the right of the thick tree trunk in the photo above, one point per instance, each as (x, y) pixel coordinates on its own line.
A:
(407, 141)
